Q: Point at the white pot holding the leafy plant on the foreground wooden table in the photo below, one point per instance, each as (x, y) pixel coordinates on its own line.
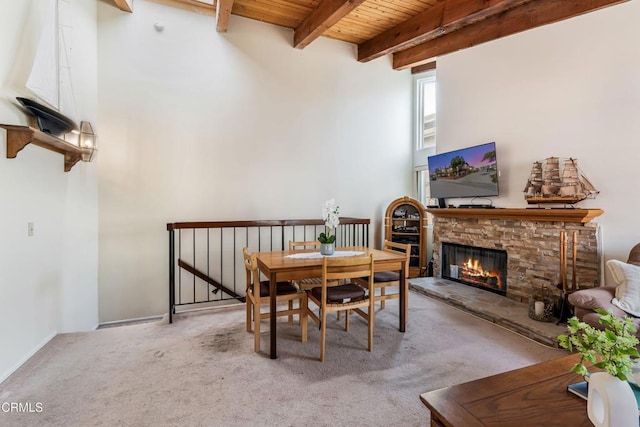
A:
(611, 402)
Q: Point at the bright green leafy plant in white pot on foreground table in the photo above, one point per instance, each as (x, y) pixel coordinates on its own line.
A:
(611, 348)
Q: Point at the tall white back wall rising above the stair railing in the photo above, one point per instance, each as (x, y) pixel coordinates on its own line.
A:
(197, 125)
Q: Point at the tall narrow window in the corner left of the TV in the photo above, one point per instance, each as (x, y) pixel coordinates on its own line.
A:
(425, 130)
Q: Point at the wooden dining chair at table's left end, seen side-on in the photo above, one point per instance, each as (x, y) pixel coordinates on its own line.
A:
(257, 294)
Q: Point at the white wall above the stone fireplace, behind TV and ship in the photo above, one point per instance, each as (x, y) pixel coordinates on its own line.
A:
(570, 89)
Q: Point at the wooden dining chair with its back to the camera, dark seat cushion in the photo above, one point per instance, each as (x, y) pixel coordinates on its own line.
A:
(347, 296)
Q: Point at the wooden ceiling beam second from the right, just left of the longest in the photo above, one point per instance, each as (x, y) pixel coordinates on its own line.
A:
(438, 20)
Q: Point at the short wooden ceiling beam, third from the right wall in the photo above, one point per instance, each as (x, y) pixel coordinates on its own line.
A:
(326, 15)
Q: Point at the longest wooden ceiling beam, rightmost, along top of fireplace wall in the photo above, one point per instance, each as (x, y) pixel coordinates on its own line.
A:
(521, 18)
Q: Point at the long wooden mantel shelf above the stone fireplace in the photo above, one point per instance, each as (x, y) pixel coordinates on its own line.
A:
(523, 214)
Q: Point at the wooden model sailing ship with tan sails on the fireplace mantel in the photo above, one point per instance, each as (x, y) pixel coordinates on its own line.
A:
(549, 184)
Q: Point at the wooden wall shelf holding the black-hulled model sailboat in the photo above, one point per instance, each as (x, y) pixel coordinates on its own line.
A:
(19, 137)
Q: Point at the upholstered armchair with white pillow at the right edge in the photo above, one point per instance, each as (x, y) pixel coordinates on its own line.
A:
(623, 297)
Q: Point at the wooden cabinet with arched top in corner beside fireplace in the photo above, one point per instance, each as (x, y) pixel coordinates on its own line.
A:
(405, 221)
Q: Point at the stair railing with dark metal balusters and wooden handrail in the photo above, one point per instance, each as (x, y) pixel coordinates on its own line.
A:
(209, 254)
